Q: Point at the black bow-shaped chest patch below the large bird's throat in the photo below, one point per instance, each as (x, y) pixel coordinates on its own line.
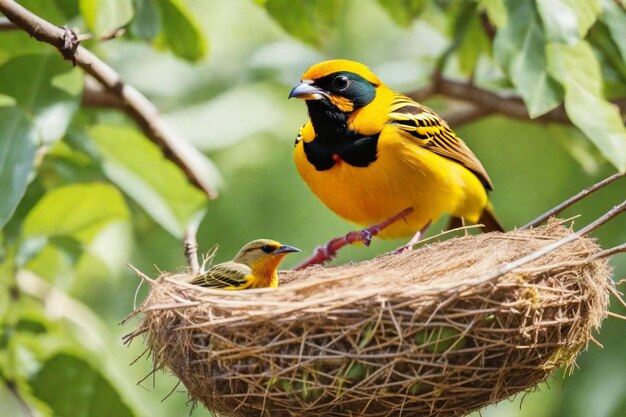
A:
(358, 151)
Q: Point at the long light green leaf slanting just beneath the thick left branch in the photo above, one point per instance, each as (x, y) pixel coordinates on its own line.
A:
(139, 168)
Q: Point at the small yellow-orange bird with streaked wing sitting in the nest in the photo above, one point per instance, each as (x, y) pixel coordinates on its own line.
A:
(254, 266)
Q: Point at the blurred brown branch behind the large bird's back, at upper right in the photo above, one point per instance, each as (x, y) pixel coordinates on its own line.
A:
(492, 102)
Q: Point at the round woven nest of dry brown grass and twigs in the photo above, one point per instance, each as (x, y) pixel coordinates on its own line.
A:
(422, 333)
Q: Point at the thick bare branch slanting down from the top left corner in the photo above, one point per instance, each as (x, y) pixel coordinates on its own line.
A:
(134, 103)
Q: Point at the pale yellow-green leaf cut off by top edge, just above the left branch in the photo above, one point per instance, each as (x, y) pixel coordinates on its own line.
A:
(104, 16)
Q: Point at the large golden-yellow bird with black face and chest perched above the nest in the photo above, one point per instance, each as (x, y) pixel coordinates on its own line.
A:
(369, 152)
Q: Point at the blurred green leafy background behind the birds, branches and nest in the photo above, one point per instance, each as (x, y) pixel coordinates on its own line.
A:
(85, 192)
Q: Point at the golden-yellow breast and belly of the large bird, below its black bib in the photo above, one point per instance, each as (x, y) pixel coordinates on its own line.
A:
(403, 175)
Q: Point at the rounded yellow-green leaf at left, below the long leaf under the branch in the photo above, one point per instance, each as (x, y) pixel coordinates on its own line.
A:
(78, 211)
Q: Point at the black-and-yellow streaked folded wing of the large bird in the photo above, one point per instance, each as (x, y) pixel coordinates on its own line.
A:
(434, 134)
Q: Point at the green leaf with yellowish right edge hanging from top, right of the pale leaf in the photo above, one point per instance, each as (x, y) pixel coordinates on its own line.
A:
(181, 31)
